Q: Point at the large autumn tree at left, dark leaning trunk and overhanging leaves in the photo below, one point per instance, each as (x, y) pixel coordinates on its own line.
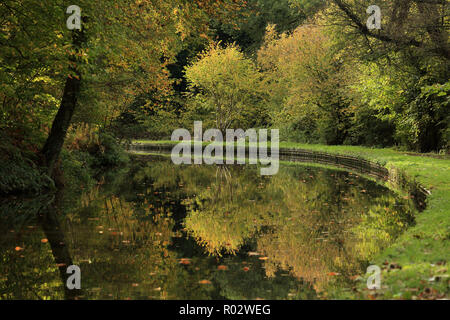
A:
(52, 75)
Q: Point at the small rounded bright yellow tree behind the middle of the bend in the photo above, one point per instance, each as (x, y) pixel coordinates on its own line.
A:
(226, 86)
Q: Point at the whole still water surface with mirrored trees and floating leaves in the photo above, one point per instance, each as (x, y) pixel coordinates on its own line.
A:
(159, 231)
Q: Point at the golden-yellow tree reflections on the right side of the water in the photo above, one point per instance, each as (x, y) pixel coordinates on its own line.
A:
(314, 224)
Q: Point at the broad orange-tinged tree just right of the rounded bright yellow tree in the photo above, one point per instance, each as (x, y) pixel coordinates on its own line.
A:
(307, 82)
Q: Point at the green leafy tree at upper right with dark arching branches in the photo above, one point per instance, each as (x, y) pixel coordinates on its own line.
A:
(412, 50)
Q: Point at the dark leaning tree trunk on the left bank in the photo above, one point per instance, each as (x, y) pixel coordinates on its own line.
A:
(61, 123)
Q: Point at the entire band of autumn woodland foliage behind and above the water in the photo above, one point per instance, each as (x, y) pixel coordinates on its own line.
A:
(144, 68)
